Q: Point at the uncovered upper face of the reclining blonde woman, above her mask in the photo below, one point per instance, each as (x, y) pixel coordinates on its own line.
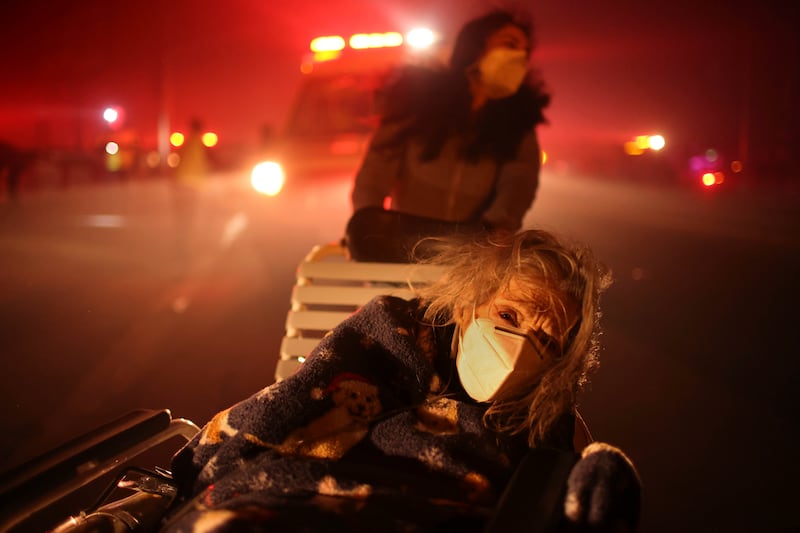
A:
(550, 321)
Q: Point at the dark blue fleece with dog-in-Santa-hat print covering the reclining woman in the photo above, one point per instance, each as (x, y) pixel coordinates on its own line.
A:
(372, 423)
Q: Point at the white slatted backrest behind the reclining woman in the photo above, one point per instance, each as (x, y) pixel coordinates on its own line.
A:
(329, 288)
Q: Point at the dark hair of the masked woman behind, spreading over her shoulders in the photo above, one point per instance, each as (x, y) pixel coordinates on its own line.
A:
(434, 104)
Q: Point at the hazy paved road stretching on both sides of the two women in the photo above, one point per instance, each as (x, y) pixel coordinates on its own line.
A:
(106, 307)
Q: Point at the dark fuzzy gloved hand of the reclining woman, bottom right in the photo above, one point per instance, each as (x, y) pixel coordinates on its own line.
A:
(603, 491)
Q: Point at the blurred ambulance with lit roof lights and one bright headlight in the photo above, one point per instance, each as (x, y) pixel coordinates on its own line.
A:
(333, 113)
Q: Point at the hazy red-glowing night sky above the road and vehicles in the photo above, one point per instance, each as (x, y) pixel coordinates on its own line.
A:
(696, 70)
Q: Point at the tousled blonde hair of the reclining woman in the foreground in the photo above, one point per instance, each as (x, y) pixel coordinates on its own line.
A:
(479, 267)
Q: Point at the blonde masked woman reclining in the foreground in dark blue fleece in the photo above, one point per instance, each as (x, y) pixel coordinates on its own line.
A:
(413, 415)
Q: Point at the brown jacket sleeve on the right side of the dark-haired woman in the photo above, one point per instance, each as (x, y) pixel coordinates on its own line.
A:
(517, 183)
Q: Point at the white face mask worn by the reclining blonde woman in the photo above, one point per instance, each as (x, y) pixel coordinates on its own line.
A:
(493, 360)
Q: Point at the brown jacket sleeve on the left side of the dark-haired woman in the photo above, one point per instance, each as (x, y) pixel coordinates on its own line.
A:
(380, 167)
